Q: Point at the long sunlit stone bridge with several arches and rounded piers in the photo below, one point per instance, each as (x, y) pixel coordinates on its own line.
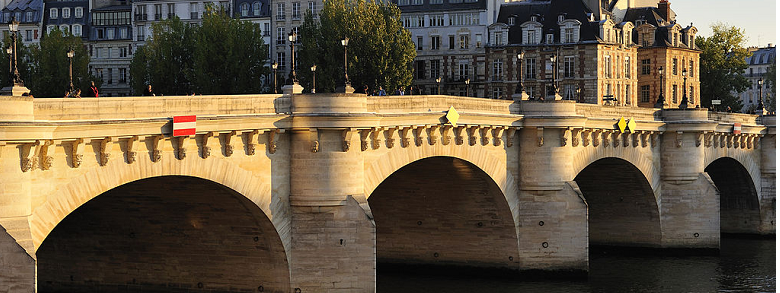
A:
(311, 193)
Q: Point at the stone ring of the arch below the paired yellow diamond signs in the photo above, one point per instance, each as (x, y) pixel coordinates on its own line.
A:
(635, 156)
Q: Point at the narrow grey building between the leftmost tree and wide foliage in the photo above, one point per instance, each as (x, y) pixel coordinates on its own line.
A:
(110, 47)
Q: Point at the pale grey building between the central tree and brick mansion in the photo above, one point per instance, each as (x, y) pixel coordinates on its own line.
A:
(450, 37)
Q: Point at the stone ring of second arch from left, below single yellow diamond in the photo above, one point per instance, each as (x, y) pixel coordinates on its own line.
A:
(386, 164)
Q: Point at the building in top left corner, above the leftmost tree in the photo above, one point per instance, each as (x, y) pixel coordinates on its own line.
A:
(29, 15)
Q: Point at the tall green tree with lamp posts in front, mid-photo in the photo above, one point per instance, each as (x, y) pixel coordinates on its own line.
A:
(380, 51)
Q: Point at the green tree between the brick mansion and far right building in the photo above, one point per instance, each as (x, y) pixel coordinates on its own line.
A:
(722, 65)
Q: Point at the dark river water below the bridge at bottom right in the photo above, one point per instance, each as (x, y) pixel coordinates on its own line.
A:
(744, 265)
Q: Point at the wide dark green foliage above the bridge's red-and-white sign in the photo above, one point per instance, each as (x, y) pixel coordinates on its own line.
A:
(221, 56)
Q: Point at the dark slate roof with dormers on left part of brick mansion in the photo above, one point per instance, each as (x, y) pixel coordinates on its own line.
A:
(549, 11)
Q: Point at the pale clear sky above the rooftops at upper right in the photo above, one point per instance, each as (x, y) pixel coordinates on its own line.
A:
(757, 17)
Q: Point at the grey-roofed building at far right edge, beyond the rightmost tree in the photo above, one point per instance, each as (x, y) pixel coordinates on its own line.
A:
(759, 62)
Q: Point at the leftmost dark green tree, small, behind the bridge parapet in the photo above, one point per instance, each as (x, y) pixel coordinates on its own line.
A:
(48, 69)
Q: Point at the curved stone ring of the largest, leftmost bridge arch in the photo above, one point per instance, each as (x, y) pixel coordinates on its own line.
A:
(98, 180)
